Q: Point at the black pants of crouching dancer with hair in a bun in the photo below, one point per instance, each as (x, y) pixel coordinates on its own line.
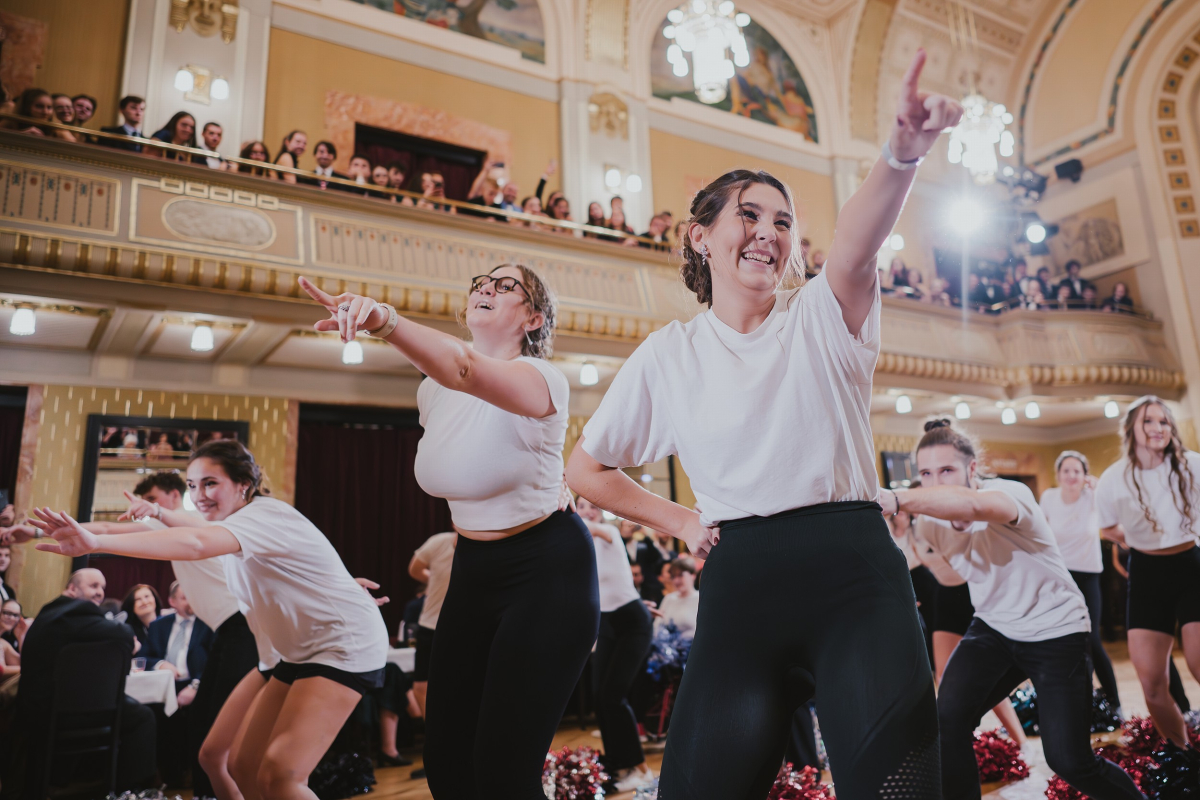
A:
(985, 669)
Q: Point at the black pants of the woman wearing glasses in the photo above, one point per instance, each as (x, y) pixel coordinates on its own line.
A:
(519, 622)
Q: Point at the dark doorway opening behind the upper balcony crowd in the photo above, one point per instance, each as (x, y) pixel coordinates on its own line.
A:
(460, 166)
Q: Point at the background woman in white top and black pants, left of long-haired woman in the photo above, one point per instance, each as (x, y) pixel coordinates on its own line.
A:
(1071, 510)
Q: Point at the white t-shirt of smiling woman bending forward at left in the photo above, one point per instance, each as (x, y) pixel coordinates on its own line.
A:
(299, 591)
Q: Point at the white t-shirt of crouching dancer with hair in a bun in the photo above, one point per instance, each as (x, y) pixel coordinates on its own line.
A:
(1018, 581)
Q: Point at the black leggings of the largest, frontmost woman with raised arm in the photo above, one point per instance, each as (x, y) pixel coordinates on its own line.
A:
(815, 601)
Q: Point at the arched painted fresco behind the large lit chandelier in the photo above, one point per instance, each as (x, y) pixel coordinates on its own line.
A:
(770, 89)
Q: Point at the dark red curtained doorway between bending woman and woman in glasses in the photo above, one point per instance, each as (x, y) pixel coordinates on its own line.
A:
(356, 483)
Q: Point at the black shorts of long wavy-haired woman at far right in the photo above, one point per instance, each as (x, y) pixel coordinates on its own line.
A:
(1163, 591)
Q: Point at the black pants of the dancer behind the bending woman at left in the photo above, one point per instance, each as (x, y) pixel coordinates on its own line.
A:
(232, 657)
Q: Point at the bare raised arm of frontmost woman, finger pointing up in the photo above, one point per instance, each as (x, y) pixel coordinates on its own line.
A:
(868, 218)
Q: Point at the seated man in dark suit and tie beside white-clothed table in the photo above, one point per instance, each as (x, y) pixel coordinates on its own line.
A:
(179, 643)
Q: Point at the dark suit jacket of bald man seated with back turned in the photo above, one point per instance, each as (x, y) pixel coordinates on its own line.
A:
(63, 622)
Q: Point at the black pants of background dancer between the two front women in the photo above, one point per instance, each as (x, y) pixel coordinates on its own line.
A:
(623, 646)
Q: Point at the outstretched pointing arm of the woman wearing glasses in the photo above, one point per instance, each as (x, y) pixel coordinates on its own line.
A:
(515, 387)
